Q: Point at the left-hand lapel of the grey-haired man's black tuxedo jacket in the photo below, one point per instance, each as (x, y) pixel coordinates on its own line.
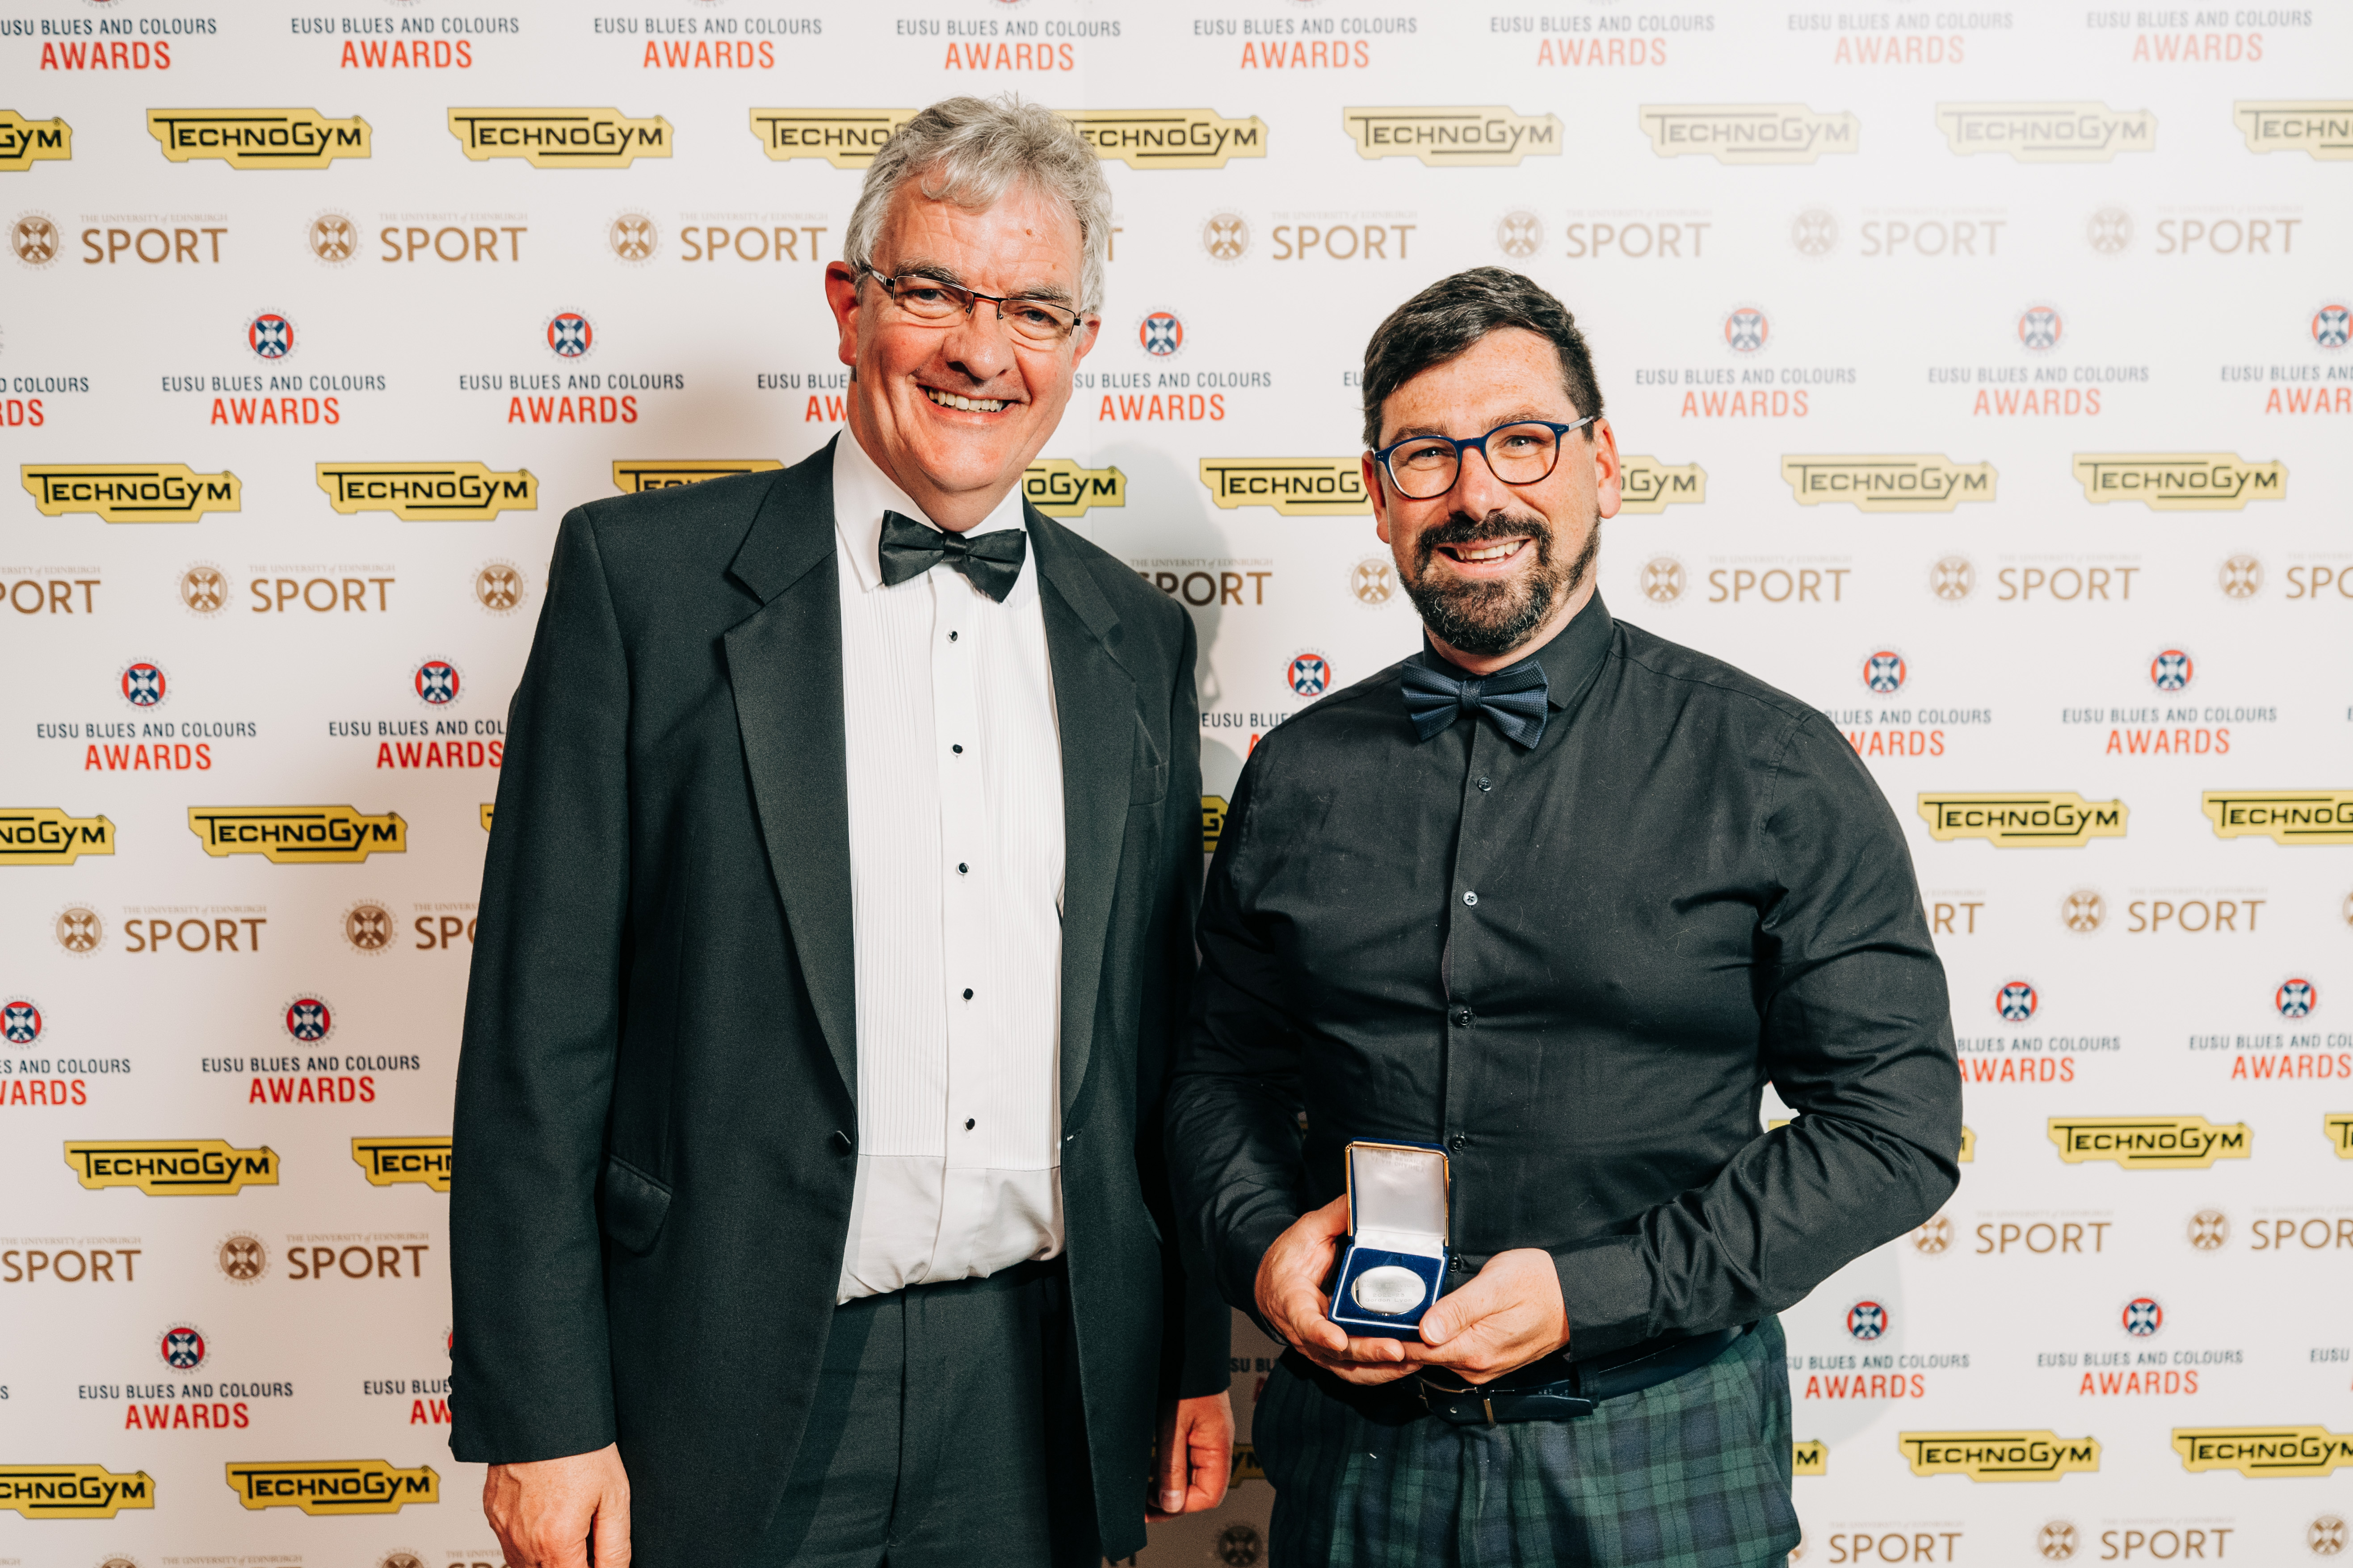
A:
(785, 665)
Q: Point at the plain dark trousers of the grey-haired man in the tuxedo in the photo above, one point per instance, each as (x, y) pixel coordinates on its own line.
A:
(947, 1433)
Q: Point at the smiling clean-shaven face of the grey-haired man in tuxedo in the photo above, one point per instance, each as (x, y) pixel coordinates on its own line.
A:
(956, 411)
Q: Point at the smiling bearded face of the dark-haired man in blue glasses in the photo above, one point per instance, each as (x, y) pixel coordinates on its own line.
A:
(1495, 569)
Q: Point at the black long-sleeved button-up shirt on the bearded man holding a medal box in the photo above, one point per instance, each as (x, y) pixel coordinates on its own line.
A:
(1575, 969)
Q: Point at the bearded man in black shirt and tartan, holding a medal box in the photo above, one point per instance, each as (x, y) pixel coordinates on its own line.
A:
(1554, 898)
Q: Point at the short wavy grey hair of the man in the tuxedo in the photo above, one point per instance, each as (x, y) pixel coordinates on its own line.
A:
(971, 152)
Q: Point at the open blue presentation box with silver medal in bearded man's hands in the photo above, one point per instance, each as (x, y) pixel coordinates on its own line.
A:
(1397, 1240)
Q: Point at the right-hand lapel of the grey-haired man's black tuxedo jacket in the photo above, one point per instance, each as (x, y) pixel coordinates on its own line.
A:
(1095, 707)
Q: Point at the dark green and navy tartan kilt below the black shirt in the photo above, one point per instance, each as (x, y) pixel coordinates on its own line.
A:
(1686, 1475)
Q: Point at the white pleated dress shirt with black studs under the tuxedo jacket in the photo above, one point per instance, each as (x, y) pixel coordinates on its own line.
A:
(954, 905)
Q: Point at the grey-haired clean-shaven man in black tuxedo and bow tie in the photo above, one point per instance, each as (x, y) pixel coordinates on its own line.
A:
(834, 938)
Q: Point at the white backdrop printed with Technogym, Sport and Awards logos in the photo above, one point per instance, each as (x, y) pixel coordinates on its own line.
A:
(1985, 378)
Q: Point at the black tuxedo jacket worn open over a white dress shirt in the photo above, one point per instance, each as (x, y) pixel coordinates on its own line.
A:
(658, 1094)
